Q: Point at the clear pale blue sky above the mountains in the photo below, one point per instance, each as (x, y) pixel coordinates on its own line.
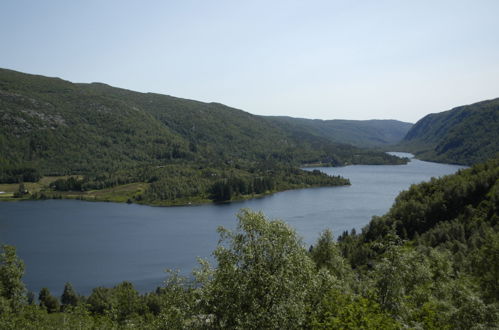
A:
(315, 59)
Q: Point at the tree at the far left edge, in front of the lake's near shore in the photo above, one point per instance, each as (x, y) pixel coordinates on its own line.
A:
(11, 272)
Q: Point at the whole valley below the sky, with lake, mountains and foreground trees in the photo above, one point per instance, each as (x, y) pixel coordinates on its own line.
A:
(390, 237)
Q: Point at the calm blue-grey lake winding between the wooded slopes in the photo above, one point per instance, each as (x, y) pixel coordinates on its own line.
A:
(94, 244)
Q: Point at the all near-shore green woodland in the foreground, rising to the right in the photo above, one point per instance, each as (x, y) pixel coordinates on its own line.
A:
(432, 262)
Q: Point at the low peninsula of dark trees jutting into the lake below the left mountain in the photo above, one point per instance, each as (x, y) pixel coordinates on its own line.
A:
(199, 183)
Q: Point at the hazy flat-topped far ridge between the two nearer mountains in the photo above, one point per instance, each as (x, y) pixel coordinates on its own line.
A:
(360, 133)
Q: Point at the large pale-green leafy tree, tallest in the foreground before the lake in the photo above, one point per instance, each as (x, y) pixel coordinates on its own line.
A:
(263, 278)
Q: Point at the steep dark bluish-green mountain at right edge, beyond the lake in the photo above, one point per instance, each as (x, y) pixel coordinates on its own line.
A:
(464, 135)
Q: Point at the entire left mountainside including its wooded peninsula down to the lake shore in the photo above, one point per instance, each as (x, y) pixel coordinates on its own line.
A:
(167, 150)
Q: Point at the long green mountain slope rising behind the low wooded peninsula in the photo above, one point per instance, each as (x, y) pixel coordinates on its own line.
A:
(63, 127)
